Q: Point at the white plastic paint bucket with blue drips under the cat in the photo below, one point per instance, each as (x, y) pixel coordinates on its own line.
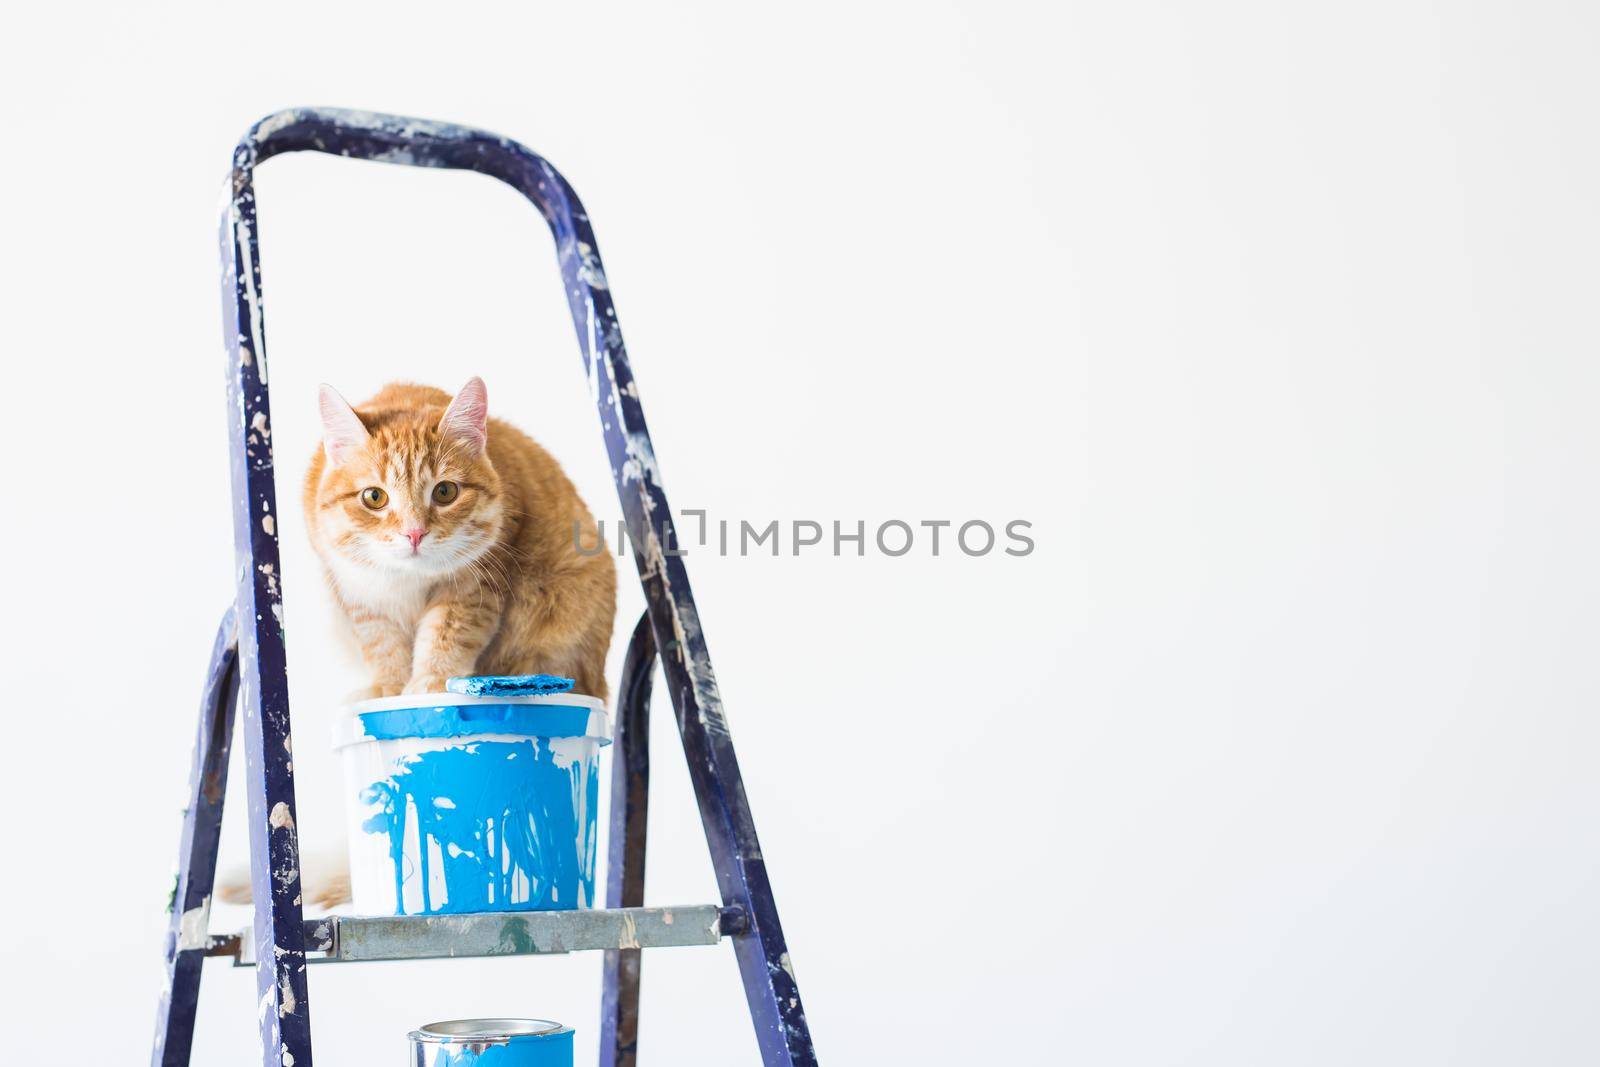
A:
(473, 804)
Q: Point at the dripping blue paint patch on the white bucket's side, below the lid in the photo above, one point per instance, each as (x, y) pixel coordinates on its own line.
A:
(498, 813)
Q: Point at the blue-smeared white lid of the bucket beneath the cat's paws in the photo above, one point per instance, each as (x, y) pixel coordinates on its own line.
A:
(457, 716)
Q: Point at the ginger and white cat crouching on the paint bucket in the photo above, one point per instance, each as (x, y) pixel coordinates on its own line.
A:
(449, 540)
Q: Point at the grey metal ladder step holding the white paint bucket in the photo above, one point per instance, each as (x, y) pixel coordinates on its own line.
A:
(361, 938)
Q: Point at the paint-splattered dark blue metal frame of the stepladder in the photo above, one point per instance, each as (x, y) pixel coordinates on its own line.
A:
(249, 658)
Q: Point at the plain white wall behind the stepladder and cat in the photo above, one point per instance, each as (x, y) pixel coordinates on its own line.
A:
(1278, 322)
